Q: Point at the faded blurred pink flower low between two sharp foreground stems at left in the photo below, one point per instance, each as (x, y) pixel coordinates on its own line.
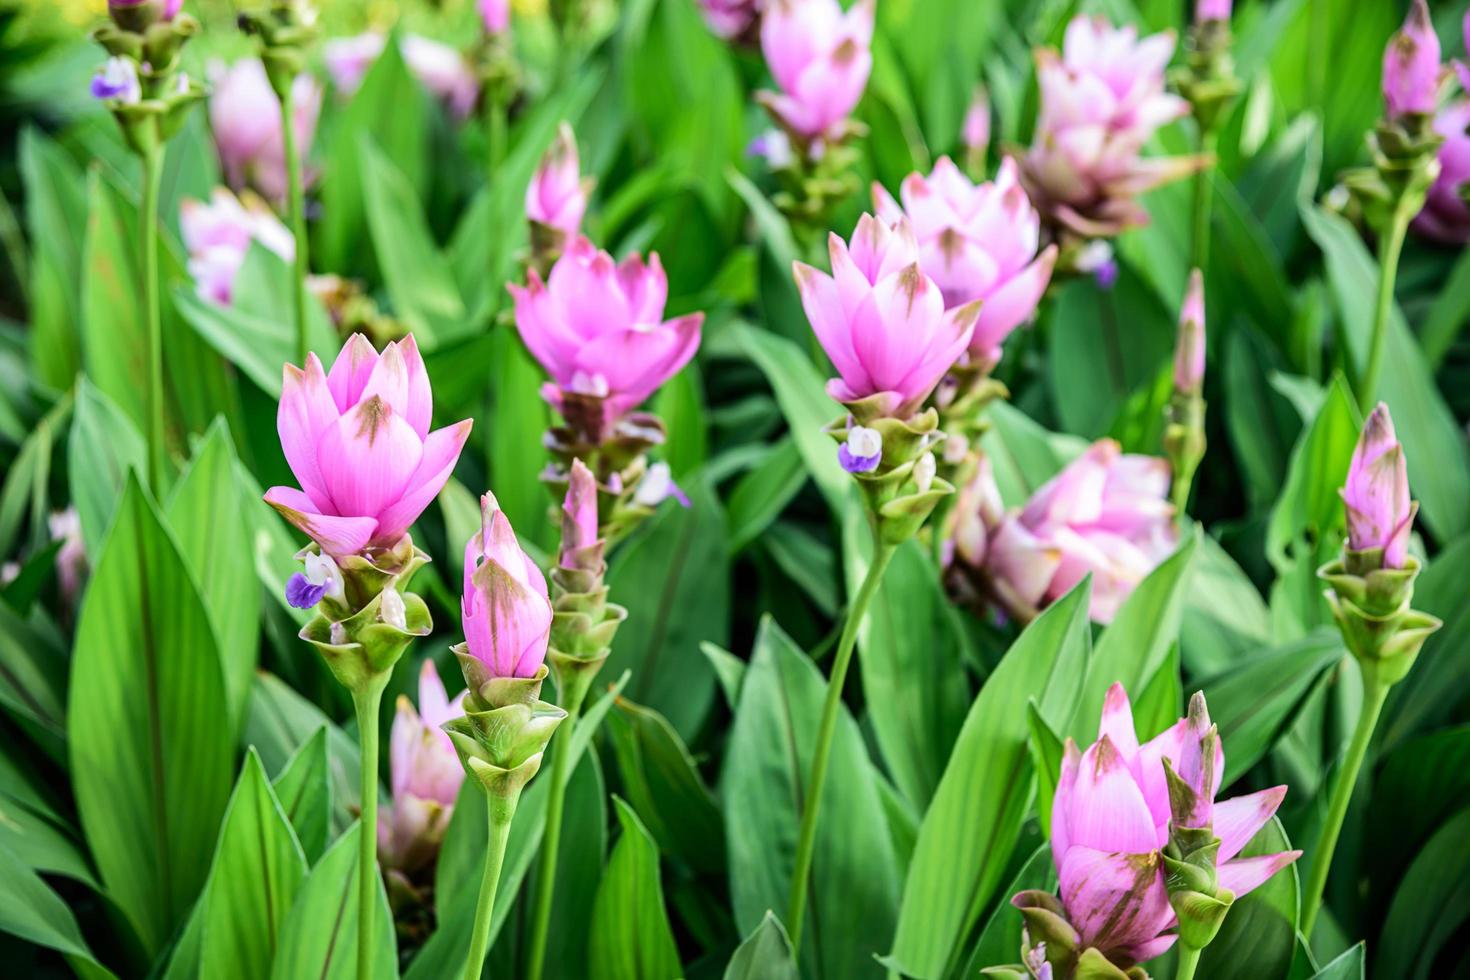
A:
(427, 777)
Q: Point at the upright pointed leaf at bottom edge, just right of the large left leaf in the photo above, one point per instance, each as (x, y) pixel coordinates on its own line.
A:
(258, 872)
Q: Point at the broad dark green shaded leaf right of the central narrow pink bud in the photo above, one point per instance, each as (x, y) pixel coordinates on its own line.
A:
(674, 577)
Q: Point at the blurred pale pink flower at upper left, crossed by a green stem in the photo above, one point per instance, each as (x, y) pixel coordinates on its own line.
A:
(246, 120)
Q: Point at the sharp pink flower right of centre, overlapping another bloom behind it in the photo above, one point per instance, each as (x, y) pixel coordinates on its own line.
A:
(883, 321)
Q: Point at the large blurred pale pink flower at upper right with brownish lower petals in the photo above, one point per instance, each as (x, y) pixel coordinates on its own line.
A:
(1102, 101)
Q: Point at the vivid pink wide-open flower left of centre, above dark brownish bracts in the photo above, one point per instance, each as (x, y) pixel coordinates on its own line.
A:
(598, 327)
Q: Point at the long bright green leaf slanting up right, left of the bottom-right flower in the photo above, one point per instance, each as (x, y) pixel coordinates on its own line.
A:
(974, 824)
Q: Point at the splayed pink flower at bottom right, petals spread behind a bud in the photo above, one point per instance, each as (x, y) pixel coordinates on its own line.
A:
(1111, 819)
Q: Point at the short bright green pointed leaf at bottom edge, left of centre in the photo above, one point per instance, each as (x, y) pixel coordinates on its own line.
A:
(630, 935)
